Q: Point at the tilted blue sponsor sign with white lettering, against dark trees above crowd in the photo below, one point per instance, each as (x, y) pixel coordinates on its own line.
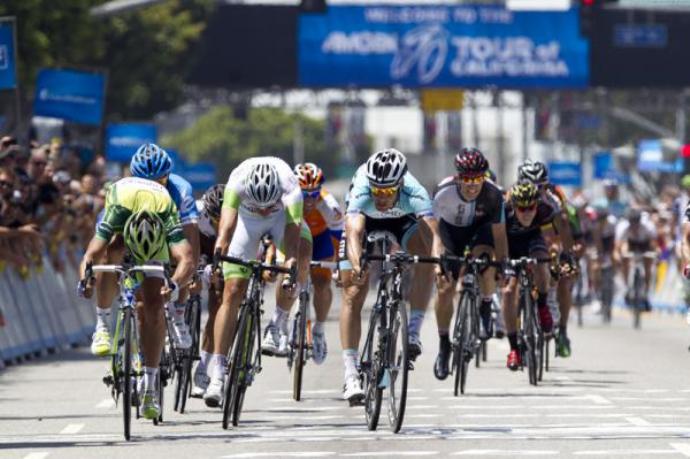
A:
(71, 95)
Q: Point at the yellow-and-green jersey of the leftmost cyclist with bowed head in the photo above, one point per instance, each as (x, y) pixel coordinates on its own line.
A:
(132, 194)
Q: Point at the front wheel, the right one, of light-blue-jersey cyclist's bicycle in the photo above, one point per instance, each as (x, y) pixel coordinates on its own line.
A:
(398, 364)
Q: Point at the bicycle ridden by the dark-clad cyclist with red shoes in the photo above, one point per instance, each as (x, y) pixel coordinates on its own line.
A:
(531, 340)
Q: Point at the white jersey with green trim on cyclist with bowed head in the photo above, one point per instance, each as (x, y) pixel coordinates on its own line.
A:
(235, 196)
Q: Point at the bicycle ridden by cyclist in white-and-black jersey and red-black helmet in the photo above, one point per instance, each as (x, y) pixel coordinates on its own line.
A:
(466, 344)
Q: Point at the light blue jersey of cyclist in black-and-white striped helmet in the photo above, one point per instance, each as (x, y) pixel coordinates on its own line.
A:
(413, 198)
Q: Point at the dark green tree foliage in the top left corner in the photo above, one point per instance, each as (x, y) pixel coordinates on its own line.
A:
(145, 52)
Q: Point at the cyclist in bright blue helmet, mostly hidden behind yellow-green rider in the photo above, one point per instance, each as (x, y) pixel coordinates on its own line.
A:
(153, 163)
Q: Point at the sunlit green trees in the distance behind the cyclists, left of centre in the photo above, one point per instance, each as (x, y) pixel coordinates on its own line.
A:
(225, 140)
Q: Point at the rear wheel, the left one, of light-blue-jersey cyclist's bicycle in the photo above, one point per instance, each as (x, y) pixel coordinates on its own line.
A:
(372, 371)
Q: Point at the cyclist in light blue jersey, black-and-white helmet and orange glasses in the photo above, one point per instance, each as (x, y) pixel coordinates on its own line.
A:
(384, 197)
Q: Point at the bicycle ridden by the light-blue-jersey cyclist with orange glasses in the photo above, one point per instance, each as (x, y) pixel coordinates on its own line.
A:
(385, 359)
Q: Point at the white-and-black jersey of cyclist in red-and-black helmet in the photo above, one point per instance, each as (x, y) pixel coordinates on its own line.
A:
(450, 207)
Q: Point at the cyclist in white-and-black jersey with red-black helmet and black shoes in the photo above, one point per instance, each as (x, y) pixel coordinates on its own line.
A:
(470, 211)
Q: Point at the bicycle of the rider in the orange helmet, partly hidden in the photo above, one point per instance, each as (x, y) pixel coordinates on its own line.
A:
(300, 343)
